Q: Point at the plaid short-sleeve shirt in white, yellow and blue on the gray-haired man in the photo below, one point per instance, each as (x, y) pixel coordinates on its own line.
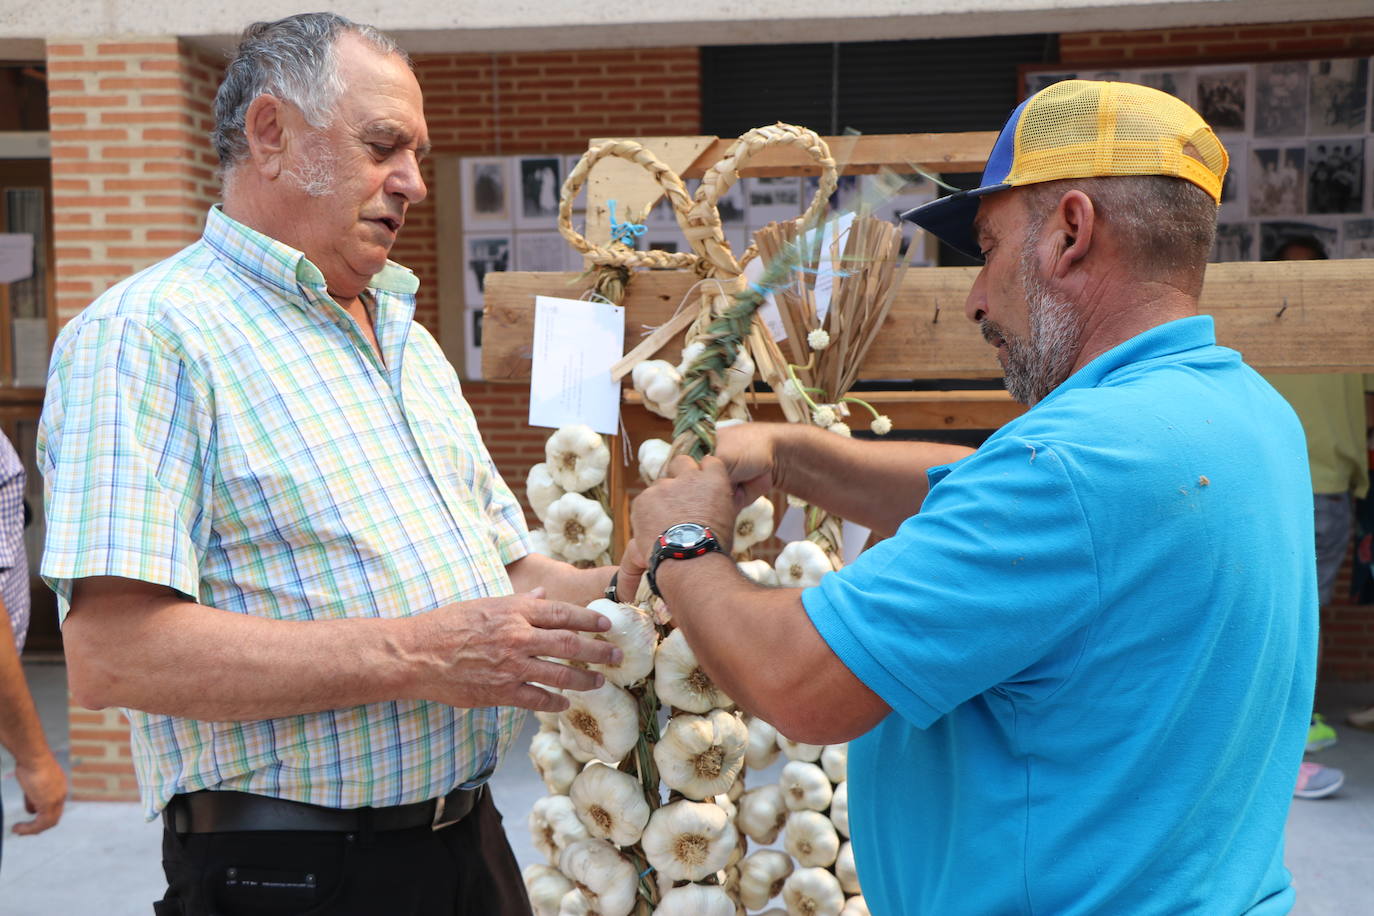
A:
(219, 425)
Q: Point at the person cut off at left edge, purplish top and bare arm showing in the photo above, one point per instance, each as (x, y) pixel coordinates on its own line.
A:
(36, 770)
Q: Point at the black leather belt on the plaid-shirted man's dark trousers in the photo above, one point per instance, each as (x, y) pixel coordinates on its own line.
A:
(223, 812)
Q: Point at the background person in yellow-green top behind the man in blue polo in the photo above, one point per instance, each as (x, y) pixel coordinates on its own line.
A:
(1335, 413)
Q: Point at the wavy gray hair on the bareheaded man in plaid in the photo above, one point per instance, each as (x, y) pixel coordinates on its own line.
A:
(293, 60)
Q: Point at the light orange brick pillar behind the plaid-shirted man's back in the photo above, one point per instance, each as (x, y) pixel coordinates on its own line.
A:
(133, 176)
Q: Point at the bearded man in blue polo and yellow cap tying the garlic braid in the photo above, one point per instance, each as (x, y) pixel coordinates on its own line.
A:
(1079, 668)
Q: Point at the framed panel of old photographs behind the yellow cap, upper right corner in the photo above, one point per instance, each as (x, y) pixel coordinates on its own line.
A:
(1300, 138)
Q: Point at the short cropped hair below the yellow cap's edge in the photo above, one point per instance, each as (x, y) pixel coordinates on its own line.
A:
(1166, 223)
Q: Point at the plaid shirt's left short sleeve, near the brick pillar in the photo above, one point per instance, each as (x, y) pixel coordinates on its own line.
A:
(126, 453)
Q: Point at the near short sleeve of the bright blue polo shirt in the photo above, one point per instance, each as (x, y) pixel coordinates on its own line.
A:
(994, 572)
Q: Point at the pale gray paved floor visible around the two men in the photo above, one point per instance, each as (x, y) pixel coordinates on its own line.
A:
(102, 860)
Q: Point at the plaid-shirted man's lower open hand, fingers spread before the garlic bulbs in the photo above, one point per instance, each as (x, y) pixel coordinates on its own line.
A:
(493, 652)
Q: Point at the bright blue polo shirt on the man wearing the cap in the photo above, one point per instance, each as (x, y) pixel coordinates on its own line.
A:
(1099, 641)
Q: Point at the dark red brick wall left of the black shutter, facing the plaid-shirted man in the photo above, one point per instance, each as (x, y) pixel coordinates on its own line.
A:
(528, 104)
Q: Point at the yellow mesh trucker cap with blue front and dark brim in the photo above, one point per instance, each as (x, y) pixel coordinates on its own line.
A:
(1085, 130)
